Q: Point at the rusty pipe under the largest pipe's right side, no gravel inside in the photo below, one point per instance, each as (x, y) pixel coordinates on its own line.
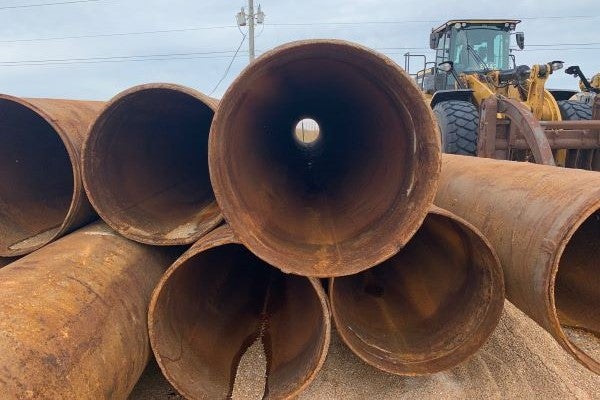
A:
(429, 307)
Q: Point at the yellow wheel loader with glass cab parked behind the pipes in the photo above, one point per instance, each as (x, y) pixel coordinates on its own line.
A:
(488, 106)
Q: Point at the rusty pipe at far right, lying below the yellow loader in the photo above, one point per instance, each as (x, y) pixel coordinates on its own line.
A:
(544, 223)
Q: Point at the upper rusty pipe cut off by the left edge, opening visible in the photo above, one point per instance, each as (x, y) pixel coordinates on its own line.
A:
(41, 192)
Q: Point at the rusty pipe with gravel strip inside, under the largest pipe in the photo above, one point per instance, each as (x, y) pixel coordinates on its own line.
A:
(216, 300)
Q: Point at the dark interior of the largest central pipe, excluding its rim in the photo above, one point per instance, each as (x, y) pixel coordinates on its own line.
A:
(339, 189)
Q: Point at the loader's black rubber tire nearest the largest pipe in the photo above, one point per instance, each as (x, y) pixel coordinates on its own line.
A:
(459, 122)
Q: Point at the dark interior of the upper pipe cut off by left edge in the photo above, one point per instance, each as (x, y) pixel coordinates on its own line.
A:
(36, 178)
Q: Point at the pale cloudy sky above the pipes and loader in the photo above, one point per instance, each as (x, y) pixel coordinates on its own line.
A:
(93, 49)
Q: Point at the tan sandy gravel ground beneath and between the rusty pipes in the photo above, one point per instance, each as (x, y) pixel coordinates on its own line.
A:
(520, 361)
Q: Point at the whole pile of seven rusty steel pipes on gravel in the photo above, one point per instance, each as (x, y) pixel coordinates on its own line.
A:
(225, 233)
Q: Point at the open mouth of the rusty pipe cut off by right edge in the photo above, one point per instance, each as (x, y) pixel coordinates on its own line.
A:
(577, 288)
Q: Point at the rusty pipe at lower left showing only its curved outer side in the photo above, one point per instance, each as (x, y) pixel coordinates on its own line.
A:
(73, 317)
